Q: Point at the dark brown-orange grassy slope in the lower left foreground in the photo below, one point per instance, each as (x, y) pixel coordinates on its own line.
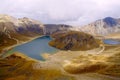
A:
(17, 68)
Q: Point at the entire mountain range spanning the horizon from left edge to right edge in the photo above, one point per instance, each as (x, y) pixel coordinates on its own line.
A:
(29, 27)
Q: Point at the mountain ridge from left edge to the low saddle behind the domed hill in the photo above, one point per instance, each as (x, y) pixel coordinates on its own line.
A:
(27, 26)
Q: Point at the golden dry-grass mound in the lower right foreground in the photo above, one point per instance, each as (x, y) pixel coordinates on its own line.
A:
(108, 63)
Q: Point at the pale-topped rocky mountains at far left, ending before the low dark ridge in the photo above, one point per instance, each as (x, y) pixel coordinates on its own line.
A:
(9, 24)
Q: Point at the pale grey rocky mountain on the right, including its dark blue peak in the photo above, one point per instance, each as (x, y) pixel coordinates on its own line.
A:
(104, 26)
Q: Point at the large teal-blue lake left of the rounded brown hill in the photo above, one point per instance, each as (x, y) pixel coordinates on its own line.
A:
(35, 48)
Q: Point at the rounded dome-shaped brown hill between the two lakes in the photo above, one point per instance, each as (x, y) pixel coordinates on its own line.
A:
(74, 41)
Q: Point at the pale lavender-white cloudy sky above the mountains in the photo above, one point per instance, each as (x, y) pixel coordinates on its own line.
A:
(73, 12)
